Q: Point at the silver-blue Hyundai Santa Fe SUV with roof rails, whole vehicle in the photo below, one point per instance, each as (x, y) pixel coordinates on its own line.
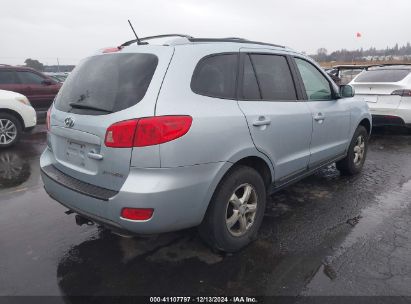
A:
(147, 138)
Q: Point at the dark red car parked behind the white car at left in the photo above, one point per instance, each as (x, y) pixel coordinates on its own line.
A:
(37, 87)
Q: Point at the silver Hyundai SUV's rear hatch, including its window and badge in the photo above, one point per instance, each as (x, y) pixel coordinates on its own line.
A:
(102, 90)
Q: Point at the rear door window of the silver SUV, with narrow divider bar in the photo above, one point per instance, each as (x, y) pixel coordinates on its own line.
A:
(272, 77)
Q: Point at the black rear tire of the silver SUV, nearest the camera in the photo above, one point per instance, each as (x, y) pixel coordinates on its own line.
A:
(214, 229)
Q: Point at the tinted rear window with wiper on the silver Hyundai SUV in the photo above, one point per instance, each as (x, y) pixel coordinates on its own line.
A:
(107, 83)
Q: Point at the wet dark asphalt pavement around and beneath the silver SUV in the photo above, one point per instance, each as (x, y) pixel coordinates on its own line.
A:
(326, 235)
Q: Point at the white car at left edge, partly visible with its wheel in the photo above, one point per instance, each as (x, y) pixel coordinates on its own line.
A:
(16, 116)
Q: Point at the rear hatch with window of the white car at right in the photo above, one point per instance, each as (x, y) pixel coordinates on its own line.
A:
(376, 87)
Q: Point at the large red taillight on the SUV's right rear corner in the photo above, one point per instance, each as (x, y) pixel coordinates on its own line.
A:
(147, 131)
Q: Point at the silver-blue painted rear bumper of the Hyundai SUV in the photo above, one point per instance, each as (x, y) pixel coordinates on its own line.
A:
(179, 196)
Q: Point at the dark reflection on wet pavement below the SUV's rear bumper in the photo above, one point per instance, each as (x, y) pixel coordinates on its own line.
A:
(176, 263)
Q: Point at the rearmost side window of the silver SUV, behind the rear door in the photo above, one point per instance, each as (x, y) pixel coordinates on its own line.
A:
(216, 76)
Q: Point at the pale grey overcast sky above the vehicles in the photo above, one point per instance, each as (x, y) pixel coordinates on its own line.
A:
(70, 30)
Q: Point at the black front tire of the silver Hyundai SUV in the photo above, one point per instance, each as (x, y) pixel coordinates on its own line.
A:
(348, 166)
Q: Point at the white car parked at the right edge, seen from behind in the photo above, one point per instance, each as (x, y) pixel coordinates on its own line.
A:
(387, 90)
